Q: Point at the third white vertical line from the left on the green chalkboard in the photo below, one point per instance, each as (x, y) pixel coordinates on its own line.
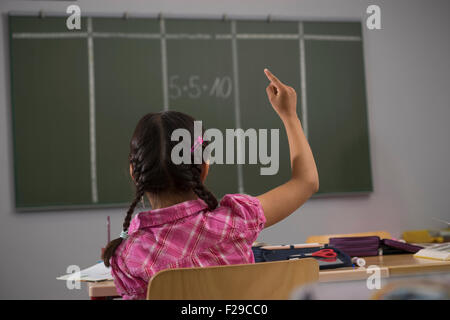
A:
(237, 107)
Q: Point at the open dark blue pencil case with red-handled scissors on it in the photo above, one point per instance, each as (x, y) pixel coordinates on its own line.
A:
(266, 255)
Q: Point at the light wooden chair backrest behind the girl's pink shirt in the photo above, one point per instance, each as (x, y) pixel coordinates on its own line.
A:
(265, 280)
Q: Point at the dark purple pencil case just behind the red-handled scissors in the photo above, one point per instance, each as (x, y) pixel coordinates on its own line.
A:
(357, 246)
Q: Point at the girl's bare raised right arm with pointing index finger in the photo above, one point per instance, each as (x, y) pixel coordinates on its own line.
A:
(280, 202)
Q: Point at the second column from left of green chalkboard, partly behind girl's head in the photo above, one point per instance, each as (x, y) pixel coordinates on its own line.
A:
(127, 86)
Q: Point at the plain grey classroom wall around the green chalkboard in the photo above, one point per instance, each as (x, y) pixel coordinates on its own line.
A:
(408, 76)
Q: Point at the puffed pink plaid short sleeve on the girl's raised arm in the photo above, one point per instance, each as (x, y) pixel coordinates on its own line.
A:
(247, 209)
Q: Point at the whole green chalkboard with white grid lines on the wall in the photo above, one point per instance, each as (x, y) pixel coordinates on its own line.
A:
(78, 94)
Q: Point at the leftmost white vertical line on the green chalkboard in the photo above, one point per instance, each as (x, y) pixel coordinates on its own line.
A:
(92, 141)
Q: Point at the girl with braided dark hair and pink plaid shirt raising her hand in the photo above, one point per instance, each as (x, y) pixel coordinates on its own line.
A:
(186, 226)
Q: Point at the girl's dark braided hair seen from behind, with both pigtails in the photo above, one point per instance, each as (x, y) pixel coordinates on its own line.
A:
(152, 168)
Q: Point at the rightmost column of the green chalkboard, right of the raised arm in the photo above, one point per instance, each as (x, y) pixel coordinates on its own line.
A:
(337, 113)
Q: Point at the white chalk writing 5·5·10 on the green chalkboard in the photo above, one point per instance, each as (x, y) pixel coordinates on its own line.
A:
(194, 88)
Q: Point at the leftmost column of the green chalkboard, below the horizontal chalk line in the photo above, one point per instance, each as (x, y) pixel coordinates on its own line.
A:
(51, 122)
